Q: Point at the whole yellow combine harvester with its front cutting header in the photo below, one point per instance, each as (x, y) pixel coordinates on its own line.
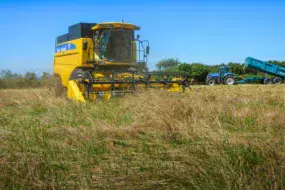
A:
(99, 60)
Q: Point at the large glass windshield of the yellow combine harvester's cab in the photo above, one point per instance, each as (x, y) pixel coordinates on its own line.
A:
(116, 45)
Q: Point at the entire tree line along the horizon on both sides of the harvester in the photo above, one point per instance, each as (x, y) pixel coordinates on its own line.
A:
(197, 71)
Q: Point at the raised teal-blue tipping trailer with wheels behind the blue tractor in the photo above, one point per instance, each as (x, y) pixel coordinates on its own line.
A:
(268, 68)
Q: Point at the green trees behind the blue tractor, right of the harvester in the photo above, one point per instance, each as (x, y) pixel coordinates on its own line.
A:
(198, 71)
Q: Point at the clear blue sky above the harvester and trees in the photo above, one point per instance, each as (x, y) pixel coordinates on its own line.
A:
(210, 32)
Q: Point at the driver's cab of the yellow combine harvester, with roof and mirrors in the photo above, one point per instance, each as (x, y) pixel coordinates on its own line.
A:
(115, 43)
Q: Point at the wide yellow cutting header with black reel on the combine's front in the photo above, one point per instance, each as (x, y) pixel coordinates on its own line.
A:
(92, 85)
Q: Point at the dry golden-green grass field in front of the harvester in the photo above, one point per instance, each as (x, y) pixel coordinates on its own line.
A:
(207, 138)
